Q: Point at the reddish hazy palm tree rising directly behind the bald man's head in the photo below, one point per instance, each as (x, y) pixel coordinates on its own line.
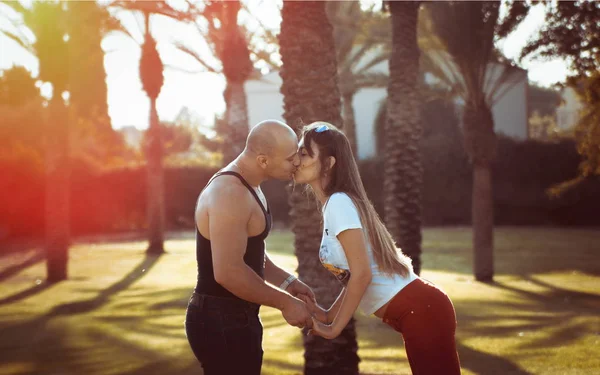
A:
(229, 44)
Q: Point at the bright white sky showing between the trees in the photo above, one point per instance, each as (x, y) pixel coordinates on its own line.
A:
(202, 92)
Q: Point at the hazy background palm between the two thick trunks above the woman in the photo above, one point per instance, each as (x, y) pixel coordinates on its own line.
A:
(362, 41)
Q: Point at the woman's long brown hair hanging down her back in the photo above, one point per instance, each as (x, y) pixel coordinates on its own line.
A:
(344, 177)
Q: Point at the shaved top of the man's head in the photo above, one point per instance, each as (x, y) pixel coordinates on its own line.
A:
(269, 136)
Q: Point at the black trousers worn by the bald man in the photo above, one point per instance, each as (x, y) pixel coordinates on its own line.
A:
(225, 335)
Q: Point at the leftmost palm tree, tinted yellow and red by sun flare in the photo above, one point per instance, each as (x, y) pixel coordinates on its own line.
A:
(47, 21)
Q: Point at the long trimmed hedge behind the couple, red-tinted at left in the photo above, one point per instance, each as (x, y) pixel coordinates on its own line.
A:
(115, 201)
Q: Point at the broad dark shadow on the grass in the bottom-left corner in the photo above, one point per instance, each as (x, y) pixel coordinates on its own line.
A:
(39, 348)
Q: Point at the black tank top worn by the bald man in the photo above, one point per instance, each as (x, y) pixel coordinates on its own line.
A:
(254, 256)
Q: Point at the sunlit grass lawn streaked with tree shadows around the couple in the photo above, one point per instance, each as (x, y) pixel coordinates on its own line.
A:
(122, 312)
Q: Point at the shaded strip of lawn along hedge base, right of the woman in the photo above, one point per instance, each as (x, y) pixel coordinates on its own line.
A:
(517, 251)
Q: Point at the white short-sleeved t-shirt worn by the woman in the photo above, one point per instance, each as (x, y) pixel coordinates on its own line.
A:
(340, 214)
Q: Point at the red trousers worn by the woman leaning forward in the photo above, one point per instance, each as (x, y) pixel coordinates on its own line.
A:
(425, 317)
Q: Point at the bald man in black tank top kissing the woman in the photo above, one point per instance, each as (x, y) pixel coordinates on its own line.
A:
(235, 274)
